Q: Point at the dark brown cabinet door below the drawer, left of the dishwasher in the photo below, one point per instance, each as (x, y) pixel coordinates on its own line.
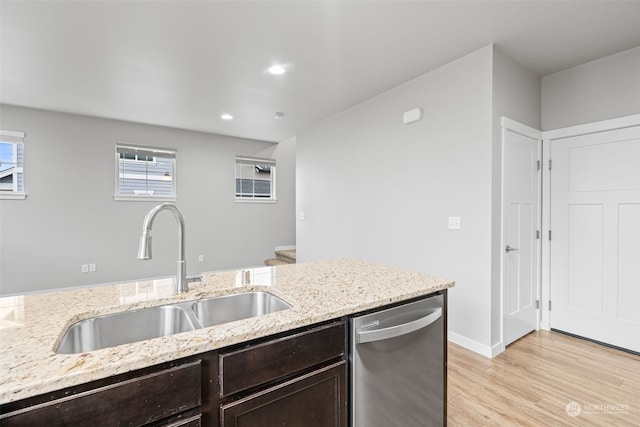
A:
(317, 399)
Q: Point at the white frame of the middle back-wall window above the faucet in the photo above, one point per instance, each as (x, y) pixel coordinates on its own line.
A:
(155, 152)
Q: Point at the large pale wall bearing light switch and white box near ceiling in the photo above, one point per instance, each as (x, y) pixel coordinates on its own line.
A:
(373, 188)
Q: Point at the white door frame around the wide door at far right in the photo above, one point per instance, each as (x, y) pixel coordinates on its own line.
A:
(547, 139)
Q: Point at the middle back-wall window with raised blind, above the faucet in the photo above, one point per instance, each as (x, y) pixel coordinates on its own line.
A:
(145, 173)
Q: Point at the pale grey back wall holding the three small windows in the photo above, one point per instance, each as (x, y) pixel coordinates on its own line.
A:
(70, 218)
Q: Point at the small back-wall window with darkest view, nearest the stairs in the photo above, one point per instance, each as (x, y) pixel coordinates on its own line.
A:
(255, 179)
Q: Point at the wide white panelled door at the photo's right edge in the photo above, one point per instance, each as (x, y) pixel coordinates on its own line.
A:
(595, 245)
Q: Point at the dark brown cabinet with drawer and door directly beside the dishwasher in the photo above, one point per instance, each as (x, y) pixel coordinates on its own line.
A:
(298, 380)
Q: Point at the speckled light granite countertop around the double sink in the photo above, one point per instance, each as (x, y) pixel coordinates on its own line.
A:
(31, 325)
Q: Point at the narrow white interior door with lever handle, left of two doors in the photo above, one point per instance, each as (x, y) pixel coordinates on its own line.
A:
(521, 208)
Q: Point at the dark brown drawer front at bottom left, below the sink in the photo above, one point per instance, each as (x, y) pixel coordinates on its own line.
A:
(136, 401)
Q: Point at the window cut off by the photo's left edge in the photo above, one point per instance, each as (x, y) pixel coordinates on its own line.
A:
(11, 165)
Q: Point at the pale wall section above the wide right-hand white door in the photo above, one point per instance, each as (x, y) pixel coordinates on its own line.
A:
(603, 89)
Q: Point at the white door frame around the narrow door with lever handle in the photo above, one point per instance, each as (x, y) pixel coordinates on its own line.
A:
(508, 124)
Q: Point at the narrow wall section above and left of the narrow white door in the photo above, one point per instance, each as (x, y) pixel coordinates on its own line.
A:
(516, 94)
